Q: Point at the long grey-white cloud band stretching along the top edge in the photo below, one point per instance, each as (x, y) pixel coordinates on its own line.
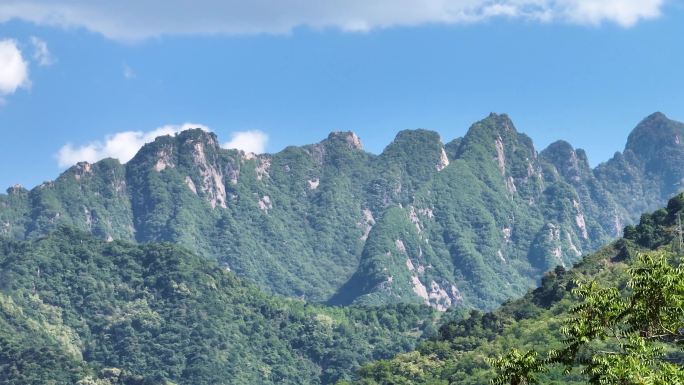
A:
(134, 19)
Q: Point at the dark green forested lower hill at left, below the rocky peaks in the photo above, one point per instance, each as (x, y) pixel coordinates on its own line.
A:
(74, 308)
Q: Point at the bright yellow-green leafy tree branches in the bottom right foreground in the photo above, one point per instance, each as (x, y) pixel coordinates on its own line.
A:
(631, 334)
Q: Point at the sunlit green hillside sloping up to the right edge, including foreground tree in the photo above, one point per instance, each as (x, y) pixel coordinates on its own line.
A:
(616, 317)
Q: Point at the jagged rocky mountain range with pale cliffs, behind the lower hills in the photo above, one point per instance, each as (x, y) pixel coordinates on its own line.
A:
(474, 221)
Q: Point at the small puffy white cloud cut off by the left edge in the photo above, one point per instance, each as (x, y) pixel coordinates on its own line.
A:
(13, 68)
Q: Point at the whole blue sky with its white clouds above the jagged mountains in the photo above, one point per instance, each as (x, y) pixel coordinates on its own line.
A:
(578, 70)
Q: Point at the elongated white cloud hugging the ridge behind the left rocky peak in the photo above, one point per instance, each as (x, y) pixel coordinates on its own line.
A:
(121, 145)
